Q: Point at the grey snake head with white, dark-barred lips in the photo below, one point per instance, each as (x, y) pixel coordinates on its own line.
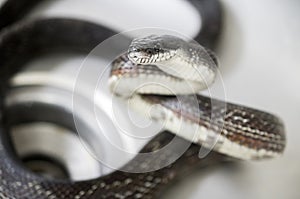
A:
(152, 49)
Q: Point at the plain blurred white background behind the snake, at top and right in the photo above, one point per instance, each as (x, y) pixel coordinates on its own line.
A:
(259, 56)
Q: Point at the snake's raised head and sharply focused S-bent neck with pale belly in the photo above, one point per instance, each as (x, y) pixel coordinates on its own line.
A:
(186, 68)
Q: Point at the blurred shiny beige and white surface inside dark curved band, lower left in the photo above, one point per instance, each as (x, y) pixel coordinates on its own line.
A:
(54, 152)
